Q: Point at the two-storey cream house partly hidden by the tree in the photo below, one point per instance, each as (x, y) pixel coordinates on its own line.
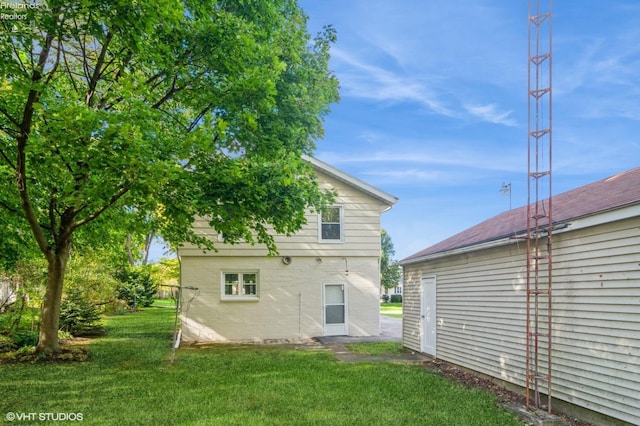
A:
(326, 280)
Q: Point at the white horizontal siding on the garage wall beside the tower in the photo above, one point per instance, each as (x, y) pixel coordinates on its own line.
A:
(596, 301)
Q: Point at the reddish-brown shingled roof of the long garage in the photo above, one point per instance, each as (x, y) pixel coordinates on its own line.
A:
(608, 194)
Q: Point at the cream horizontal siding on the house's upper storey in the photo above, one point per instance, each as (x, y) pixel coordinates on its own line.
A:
(361, 230)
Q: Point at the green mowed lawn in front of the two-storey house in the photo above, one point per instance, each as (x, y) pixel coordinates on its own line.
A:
(128, 380)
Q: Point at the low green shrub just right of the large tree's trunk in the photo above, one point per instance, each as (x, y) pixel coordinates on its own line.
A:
(78, 315)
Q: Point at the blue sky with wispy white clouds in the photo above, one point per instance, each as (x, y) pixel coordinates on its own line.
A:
(434, 103)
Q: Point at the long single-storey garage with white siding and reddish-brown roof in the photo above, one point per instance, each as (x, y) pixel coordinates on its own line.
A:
(465, 301)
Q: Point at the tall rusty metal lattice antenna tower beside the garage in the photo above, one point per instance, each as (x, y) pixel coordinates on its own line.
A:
(539, 207)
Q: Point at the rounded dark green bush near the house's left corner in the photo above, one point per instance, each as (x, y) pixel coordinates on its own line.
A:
(136, 287)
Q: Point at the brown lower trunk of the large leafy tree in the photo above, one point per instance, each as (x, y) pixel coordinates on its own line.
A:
(57, 264)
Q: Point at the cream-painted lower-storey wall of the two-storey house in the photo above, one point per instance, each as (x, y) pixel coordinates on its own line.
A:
(290, 298)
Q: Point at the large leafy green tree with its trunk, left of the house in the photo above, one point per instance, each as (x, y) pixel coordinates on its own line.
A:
(125, 113)
